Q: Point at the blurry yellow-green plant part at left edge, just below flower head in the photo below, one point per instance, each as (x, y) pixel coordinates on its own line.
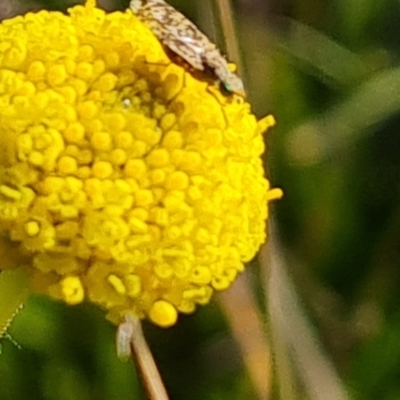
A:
(14, 290)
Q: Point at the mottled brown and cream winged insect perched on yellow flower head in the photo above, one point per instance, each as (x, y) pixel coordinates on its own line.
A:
(182, 36)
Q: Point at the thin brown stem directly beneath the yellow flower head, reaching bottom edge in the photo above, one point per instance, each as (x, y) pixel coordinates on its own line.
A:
(145, 363)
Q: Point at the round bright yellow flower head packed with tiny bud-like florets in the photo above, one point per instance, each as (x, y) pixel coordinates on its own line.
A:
(126, 179)
